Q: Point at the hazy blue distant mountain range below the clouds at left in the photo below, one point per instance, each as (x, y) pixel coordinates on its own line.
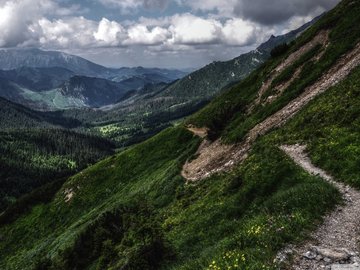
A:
(50, 80)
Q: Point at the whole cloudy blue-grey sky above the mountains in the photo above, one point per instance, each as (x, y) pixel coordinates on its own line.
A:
(152, 33)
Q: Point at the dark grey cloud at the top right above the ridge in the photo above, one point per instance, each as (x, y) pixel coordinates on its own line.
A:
(271, 12)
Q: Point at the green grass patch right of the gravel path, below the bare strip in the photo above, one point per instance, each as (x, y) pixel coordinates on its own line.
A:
(330, 125)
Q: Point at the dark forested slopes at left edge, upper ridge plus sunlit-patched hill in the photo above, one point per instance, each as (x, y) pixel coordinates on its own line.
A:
(38, 148)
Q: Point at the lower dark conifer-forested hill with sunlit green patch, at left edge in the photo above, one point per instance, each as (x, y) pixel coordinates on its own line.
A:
(30, 158)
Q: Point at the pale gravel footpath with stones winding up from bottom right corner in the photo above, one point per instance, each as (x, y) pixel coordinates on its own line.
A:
(335, 243)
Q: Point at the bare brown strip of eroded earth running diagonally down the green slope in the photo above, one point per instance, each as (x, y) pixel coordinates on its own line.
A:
(216, 157)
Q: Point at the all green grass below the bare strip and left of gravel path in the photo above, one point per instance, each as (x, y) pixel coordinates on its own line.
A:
(253, 211)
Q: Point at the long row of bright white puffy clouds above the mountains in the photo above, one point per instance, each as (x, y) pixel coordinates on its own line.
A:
(179, 31)
